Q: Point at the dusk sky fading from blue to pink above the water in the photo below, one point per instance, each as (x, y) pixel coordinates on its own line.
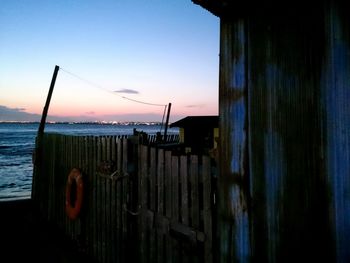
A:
(117, 58)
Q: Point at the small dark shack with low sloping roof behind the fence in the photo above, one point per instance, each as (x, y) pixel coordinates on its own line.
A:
(198, 133)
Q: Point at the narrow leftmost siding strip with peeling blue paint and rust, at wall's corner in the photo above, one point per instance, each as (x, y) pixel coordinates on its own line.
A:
(234, 228)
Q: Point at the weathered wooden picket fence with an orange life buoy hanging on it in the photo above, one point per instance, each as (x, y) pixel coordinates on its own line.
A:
(140, 203)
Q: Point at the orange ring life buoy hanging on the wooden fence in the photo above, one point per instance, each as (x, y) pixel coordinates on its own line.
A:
(73, 207)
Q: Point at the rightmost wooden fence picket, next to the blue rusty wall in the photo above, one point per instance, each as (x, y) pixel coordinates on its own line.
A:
(207, 209)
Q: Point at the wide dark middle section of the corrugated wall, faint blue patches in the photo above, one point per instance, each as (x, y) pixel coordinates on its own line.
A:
(288, 179)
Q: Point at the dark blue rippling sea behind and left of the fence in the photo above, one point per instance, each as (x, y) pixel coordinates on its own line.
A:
(17, 142)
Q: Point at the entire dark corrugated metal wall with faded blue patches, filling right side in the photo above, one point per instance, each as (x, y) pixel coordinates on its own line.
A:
(284, 132)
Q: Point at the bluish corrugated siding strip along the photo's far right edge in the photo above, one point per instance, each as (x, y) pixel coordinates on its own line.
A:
(336, 97)
